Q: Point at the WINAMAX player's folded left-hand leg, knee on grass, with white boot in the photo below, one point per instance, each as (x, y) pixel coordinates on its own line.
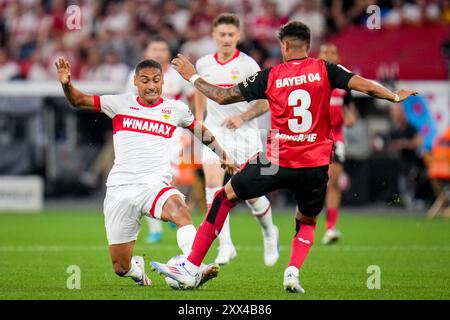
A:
(125, 265)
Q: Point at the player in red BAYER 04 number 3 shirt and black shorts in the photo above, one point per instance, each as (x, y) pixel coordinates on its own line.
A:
(298, 91)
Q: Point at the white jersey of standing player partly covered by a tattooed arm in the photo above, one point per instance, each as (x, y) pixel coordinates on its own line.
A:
(244, 141)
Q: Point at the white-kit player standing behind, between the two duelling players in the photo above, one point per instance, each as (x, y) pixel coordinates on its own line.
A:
(236, 129)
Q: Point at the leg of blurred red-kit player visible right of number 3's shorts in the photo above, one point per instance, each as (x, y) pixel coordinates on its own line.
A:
(333, 203)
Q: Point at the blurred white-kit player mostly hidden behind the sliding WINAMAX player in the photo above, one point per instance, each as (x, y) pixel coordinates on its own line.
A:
(174, 88)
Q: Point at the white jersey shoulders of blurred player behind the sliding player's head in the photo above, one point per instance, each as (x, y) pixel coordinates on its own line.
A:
(174, 87)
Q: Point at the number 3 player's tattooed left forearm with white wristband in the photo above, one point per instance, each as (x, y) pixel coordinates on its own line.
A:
(219, 94)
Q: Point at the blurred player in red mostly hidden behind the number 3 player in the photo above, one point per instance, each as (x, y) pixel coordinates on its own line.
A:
(342, 113)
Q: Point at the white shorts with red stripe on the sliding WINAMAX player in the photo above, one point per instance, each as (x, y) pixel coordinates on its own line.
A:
(124, 205)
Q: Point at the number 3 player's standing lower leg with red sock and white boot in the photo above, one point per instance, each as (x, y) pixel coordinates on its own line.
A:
(301, 244)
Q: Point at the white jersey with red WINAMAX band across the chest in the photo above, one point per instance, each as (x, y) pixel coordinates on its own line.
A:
(142, 136)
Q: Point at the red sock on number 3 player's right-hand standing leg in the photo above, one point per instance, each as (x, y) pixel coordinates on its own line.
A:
(301, 244)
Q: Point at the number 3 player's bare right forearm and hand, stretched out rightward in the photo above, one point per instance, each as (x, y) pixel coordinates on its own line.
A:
(376, 90)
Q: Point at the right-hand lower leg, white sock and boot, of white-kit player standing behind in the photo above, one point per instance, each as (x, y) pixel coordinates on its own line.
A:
(262, 210)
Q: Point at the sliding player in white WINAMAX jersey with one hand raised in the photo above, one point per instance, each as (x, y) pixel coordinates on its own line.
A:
(138, 184)
